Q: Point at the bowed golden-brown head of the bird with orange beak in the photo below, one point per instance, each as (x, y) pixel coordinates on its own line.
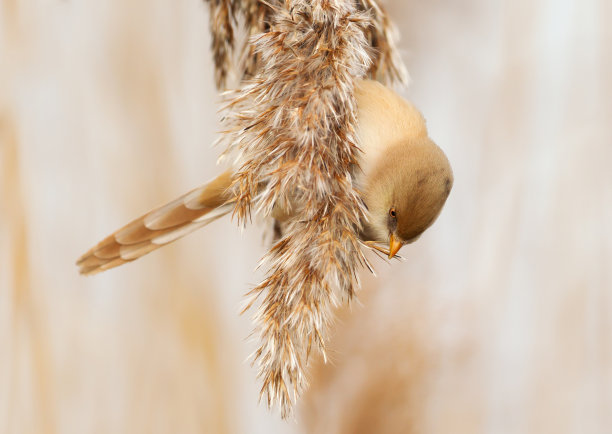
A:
(406, 191)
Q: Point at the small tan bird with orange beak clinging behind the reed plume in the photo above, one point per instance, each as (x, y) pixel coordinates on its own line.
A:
(403, 178)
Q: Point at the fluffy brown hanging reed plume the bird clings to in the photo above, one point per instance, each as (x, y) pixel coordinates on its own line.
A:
(292, 129)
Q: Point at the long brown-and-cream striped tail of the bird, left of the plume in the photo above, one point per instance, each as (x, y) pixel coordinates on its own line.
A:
(161, 226)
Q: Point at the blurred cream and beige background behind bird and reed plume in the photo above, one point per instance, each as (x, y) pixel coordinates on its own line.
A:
(499, 320)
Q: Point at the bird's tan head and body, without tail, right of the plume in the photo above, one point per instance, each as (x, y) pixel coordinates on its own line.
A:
(404, 172)
